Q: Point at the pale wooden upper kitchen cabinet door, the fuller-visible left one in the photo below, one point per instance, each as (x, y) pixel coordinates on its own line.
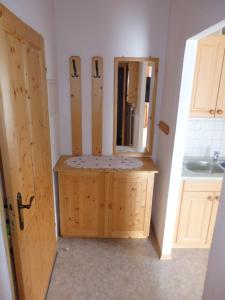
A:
(208, 68)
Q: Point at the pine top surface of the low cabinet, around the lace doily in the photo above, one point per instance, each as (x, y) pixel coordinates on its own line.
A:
(148, 166)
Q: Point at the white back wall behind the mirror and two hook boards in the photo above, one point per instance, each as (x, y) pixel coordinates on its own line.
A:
(106, 28)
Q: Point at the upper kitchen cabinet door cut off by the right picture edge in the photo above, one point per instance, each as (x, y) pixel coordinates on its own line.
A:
(220, 107)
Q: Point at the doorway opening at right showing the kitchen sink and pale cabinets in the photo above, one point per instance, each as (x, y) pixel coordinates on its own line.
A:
(199, 150)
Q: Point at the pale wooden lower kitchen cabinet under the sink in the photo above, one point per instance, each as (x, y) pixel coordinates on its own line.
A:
(197, 214)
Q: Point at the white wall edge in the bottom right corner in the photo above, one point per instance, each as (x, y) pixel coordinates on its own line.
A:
(214, 282)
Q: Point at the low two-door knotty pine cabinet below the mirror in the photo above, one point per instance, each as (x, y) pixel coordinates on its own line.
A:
(105, 203)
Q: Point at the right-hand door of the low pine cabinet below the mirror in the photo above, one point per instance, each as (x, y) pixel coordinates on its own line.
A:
(129, 198)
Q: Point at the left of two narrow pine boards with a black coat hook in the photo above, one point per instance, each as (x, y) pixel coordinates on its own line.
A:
(76, 110)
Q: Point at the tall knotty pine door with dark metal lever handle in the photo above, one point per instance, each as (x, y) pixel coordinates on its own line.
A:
(25, 145)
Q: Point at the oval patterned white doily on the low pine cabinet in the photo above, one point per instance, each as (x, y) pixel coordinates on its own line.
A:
(103, 162)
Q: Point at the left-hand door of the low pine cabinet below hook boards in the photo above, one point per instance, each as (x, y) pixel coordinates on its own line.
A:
(81, 204)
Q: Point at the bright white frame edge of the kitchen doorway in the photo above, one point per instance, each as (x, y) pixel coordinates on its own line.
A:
(187, 77)
